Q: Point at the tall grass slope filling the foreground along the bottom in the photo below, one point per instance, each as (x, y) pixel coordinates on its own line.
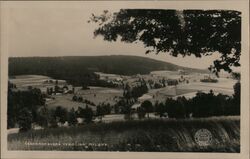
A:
(145, 135)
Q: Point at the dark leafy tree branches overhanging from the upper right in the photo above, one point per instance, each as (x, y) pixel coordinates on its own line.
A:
(185, 32)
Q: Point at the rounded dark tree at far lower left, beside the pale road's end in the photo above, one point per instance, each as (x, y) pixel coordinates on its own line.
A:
(25, 120)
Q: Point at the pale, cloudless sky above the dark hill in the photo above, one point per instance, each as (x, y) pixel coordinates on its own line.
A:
(61, 29)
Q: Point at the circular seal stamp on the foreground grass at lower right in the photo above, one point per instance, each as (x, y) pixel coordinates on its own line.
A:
(203, 137)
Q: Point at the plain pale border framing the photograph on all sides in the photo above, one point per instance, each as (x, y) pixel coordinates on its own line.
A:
(242, 6)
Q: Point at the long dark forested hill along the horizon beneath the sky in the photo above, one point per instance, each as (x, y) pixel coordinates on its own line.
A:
(116, 64)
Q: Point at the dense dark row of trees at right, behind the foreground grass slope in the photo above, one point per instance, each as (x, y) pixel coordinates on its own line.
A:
(202, 105)
